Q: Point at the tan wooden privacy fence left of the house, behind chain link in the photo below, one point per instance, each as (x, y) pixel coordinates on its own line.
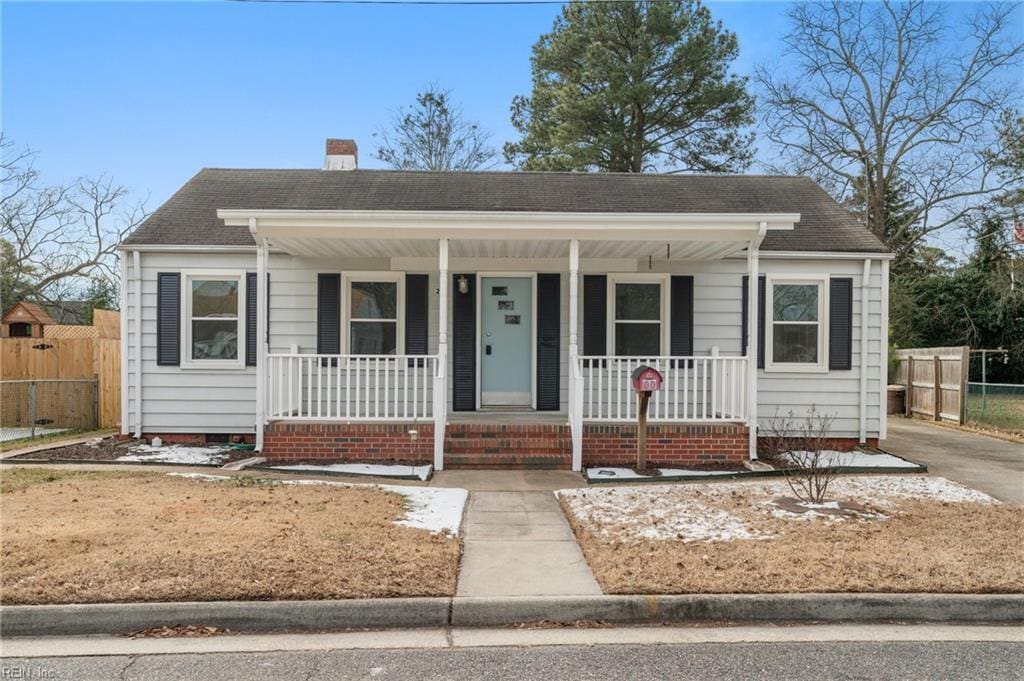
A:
(49, 359)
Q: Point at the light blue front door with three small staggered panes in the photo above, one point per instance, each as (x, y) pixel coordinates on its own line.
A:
(506, 340)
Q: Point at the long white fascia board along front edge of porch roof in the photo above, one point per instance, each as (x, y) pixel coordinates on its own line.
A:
(406, 225)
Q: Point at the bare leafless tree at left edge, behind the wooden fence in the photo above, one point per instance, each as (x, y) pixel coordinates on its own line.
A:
(59, 238)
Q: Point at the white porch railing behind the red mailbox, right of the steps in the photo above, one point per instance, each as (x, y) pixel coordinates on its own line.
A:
(695, 389)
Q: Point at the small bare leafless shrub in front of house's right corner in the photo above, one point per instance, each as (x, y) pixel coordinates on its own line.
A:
(800, 447)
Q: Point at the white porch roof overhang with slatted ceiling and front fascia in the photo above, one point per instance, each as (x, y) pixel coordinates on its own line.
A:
(411, 234)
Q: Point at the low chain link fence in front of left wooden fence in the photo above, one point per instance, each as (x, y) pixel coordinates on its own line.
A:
(44, 407)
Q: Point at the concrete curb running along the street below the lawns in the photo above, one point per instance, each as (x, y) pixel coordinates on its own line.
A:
(78, 620)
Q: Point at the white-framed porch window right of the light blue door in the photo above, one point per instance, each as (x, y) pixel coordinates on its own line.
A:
(637, 315)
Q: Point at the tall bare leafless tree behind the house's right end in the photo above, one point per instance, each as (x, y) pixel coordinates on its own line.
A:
(889, 94)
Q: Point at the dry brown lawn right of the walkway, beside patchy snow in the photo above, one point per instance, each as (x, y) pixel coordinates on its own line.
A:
(923, 546)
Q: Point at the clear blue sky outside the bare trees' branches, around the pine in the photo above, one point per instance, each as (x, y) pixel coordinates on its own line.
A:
(151, 93)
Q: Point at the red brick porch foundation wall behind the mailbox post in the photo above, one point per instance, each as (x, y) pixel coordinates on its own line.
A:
(668, 445)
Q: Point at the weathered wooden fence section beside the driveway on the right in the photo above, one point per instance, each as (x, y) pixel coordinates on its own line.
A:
(935, 379)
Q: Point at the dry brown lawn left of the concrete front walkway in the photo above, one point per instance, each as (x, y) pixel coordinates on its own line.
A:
(86, 538)
